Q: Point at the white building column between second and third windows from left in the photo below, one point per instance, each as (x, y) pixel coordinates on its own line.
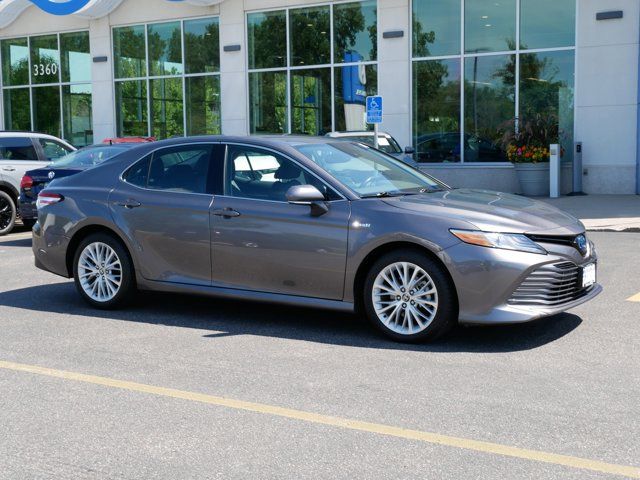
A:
(233, 72)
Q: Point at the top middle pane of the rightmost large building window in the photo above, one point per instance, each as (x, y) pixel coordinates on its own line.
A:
(489, 26)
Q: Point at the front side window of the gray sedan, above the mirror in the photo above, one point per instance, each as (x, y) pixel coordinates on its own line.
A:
(263, 175)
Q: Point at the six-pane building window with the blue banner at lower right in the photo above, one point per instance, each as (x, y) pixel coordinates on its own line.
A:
(311, 68)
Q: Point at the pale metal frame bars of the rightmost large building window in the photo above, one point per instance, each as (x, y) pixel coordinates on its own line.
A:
(462, 56)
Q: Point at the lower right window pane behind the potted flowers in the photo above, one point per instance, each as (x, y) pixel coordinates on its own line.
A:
(546, 94)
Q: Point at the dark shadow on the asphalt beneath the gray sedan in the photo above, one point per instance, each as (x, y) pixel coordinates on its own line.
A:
(229, 318)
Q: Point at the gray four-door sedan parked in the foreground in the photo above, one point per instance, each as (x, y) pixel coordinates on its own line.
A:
(314, 222)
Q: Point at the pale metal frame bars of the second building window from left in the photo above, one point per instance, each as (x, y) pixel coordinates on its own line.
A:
(148, 78)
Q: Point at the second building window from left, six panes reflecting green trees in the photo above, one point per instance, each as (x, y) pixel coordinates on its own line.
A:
(168, 78)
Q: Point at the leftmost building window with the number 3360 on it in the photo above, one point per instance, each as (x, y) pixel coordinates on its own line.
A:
(46, 85)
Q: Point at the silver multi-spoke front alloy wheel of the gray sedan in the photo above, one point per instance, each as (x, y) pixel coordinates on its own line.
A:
(405, 298)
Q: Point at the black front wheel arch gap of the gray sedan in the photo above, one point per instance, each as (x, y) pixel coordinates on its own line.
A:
(381, 250)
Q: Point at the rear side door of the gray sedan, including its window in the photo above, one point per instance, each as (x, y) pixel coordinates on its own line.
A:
(162, 204)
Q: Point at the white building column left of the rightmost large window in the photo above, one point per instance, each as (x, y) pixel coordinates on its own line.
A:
(394, 68)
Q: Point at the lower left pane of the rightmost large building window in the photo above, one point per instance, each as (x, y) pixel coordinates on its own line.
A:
(436, 110)
